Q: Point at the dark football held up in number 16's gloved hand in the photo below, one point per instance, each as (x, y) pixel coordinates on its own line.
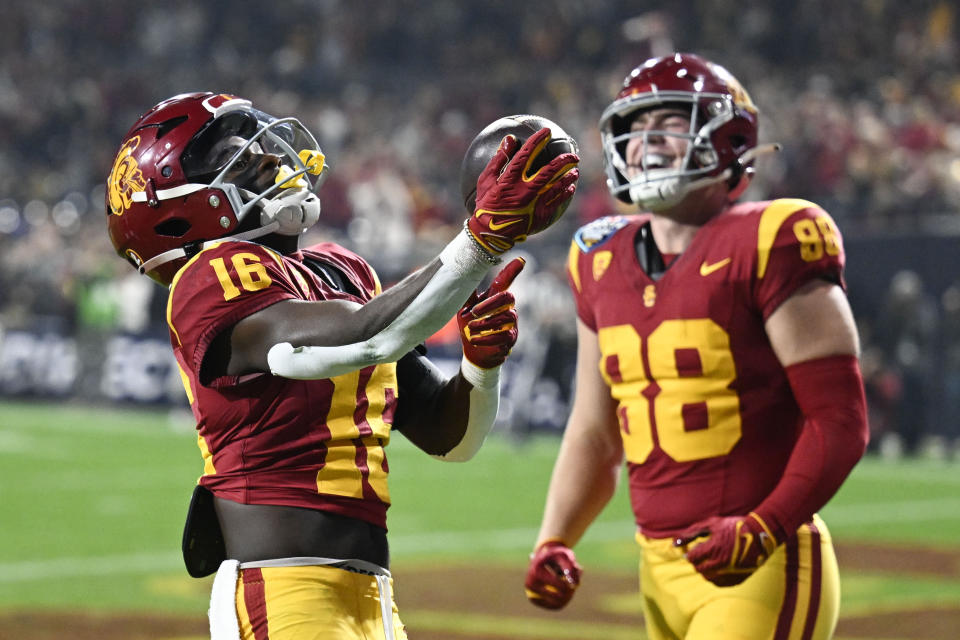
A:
(483, 147)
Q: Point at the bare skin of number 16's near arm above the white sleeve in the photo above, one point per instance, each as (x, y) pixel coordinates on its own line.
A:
(324, 323)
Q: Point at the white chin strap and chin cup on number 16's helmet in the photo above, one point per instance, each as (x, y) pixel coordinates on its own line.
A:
(290, 215)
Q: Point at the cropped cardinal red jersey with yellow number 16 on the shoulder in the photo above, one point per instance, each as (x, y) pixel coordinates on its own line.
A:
(271, 440)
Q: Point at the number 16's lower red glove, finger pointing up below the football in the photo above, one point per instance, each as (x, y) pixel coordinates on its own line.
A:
(488, 320)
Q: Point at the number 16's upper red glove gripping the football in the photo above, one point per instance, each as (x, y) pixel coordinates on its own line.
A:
(512, 203)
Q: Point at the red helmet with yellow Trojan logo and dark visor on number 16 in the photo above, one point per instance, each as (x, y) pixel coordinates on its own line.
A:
(193, 169)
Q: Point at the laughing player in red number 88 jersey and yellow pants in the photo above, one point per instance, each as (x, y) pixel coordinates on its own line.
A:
(717, 355)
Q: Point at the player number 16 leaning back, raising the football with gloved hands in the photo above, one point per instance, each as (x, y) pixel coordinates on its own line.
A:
(296, 365)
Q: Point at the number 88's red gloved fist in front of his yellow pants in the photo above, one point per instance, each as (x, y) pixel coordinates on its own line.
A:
(733, 548)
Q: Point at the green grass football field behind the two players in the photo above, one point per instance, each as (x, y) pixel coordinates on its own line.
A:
(92, 502)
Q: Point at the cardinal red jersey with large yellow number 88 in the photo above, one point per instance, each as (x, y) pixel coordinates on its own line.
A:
(705, 410)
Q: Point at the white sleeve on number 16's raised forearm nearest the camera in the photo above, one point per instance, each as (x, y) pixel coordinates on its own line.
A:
(463, 265)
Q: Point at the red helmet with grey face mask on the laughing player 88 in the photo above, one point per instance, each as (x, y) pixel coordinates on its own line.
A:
(722, 135)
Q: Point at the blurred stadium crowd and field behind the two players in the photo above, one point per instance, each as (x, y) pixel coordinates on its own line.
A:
(96, 456)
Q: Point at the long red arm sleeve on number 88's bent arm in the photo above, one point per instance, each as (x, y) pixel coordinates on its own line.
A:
(830, 394)
